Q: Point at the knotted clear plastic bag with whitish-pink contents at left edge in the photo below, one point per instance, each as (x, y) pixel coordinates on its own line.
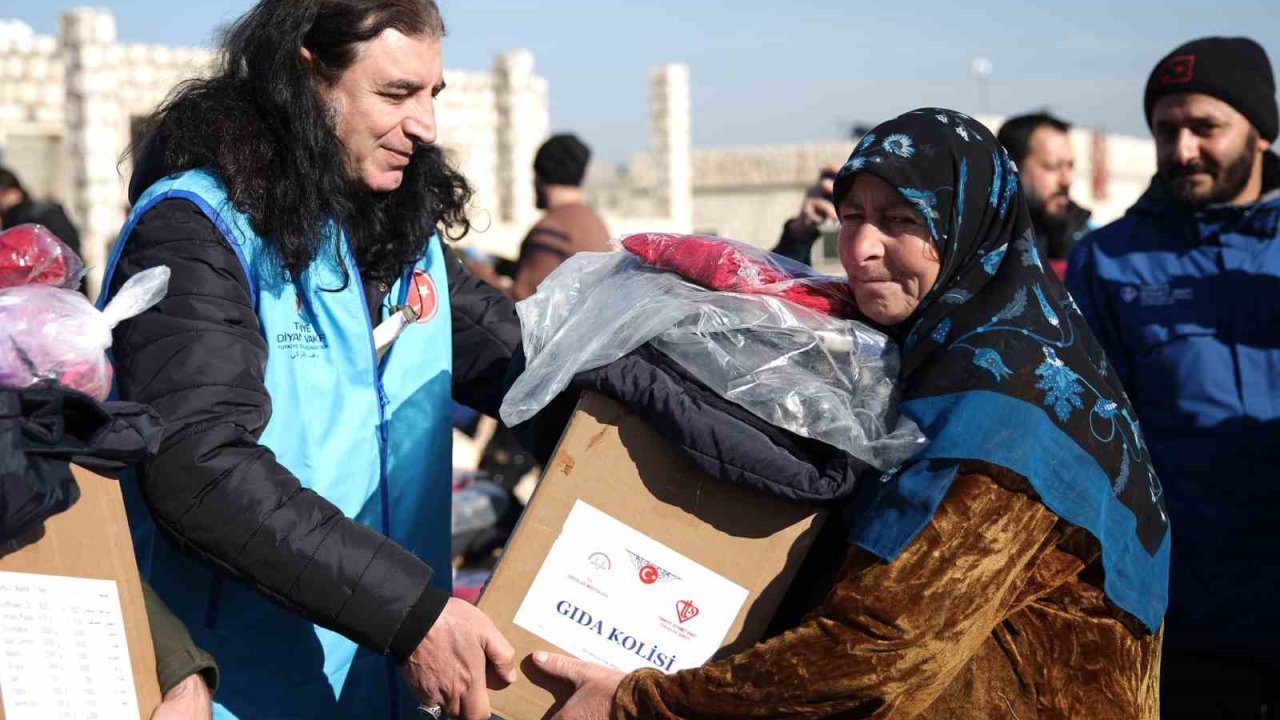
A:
(54, 335)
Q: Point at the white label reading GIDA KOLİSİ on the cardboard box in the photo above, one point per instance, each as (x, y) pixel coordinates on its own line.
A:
(609, 594)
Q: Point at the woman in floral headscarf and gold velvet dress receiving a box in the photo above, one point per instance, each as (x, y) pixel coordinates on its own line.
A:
(1018, 567)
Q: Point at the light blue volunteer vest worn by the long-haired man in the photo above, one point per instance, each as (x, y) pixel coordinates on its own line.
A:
(374, 439)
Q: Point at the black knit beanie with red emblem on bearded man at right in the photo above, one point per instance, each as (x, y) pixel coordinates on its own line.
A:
(1233, 70)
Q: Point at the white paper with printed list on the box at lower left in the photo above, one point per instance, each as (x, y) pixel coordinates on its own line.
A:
(63, 653)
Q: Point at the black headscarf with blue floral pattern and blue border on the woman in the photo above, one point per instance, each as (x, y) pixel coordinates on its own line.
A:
(999, 366)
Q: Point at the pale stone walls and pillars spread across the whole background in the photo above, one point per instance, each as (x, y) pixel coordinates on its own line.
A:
(70, 107)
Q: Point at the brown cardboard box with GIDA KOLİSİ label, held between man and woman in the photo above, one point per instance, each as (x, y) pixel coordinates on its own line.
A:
(610, 471)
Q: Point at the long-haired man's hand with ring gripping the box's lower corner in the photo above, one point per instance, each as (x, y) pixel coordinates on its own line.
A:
(460, 657)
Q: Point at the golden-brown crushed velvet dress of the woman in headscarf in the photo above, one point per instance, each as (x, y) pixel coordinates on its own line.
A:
(995, 610)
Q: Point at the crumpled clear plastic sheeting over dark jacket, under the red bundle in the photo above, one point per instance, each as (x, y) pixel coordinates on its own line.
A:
(813, 375)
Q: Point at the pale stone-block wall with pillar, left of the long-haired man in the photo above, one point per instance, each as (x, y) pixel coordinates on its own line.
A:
(68, 107)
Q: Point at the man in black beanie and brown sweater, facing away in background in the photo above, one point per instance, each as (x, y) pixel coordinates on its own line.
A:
(569, 225)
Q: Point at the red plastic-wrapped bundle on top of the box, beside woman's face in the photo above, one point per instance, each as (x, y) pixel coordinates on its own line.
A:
(719, 263)
